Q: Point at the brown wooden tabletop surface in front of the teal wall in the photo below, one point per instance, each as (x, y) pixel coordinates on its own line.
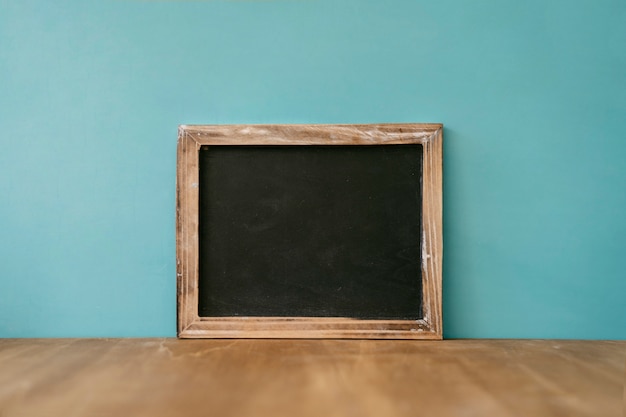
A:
(170, 377)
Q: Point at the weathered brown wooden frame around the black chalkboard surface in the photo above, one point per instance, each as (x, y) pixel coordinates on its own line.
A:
(191, 138)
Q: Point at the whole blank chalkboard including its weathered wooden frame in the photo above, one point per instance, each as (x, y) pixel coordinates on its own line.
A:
(309, 231)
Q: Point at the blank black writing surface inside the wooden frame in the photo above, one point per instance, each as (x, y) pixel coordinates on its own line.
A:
(320, 231)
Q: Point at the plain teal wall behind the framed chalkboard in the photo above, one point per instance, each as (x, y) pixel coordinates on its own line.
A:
(532, 95)
